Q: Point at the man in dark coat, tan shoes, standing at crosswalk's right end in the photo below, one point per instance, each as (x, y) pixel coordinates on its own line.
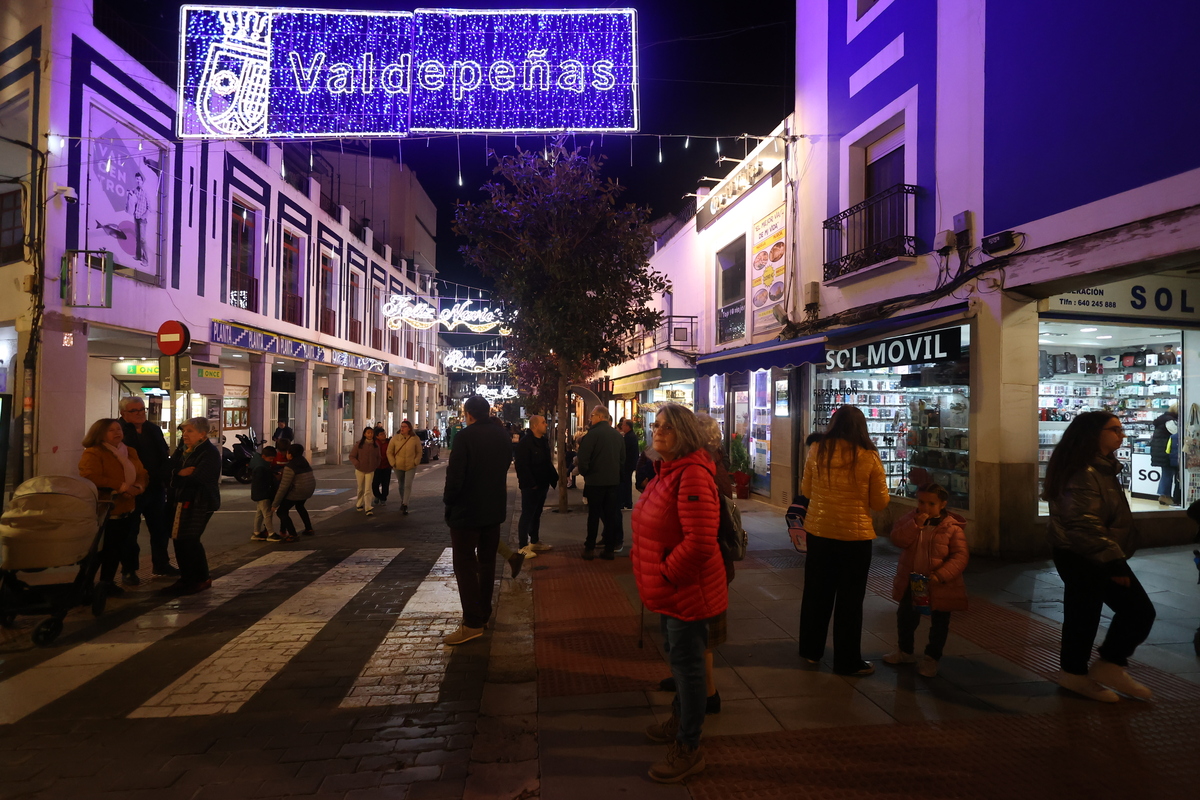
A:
(477, 503)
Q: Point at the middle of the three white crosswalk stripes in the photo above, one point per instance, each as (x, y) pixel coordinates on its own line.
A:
(224, 682)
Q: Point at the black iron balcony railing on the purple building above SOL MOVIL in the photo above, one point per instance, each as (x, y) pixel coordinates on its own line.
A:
(879, 230)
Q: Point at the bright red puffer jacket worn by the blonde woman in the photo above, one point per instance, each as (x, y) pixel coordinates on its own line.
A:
(677, 562)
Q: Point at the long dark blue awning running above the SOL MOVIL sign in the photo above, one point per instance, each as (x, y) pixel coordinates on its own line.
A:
(812, 350)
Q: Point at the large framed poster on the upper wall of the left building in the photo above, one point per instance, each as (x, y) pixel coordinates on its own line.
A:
(125, 191)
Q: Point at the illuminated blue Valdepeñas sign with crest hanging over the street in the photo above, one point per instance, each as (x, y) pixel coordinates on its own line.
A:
(271, 74)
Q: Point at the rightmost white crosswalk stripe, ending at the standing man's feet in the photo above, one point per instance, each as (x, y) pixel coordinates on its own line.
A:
(411, 663)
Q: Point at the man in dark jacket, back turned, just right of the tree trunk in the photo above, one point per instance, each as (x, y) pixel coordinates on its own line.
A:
(602, 459)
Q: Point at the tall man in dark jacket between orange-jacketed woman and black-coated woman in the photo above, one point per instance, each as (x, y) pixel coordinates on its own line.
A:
(146, 438)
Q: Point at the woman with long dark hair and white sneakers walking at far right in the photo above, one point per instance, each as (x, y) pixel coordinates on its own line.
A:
(1093, 536)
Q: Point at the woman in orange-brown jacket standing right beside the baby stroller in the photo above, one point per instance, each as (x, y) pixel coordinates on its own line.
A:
(110, 465)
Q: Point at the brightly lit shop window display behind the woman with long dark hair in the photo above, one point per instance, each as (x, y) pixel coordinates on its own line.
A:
(1138, 395)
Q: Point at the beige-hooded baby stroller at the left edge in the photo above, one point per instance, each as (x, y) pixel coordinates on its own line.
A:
(50, 543)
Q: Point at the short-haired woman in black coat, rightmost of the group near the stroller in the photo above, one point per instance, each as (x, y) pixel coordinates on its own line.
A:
(195, 497)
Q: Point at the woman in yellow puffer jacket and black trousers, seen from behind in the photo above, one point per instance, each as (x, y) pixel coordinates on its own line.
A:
(844, 482)
